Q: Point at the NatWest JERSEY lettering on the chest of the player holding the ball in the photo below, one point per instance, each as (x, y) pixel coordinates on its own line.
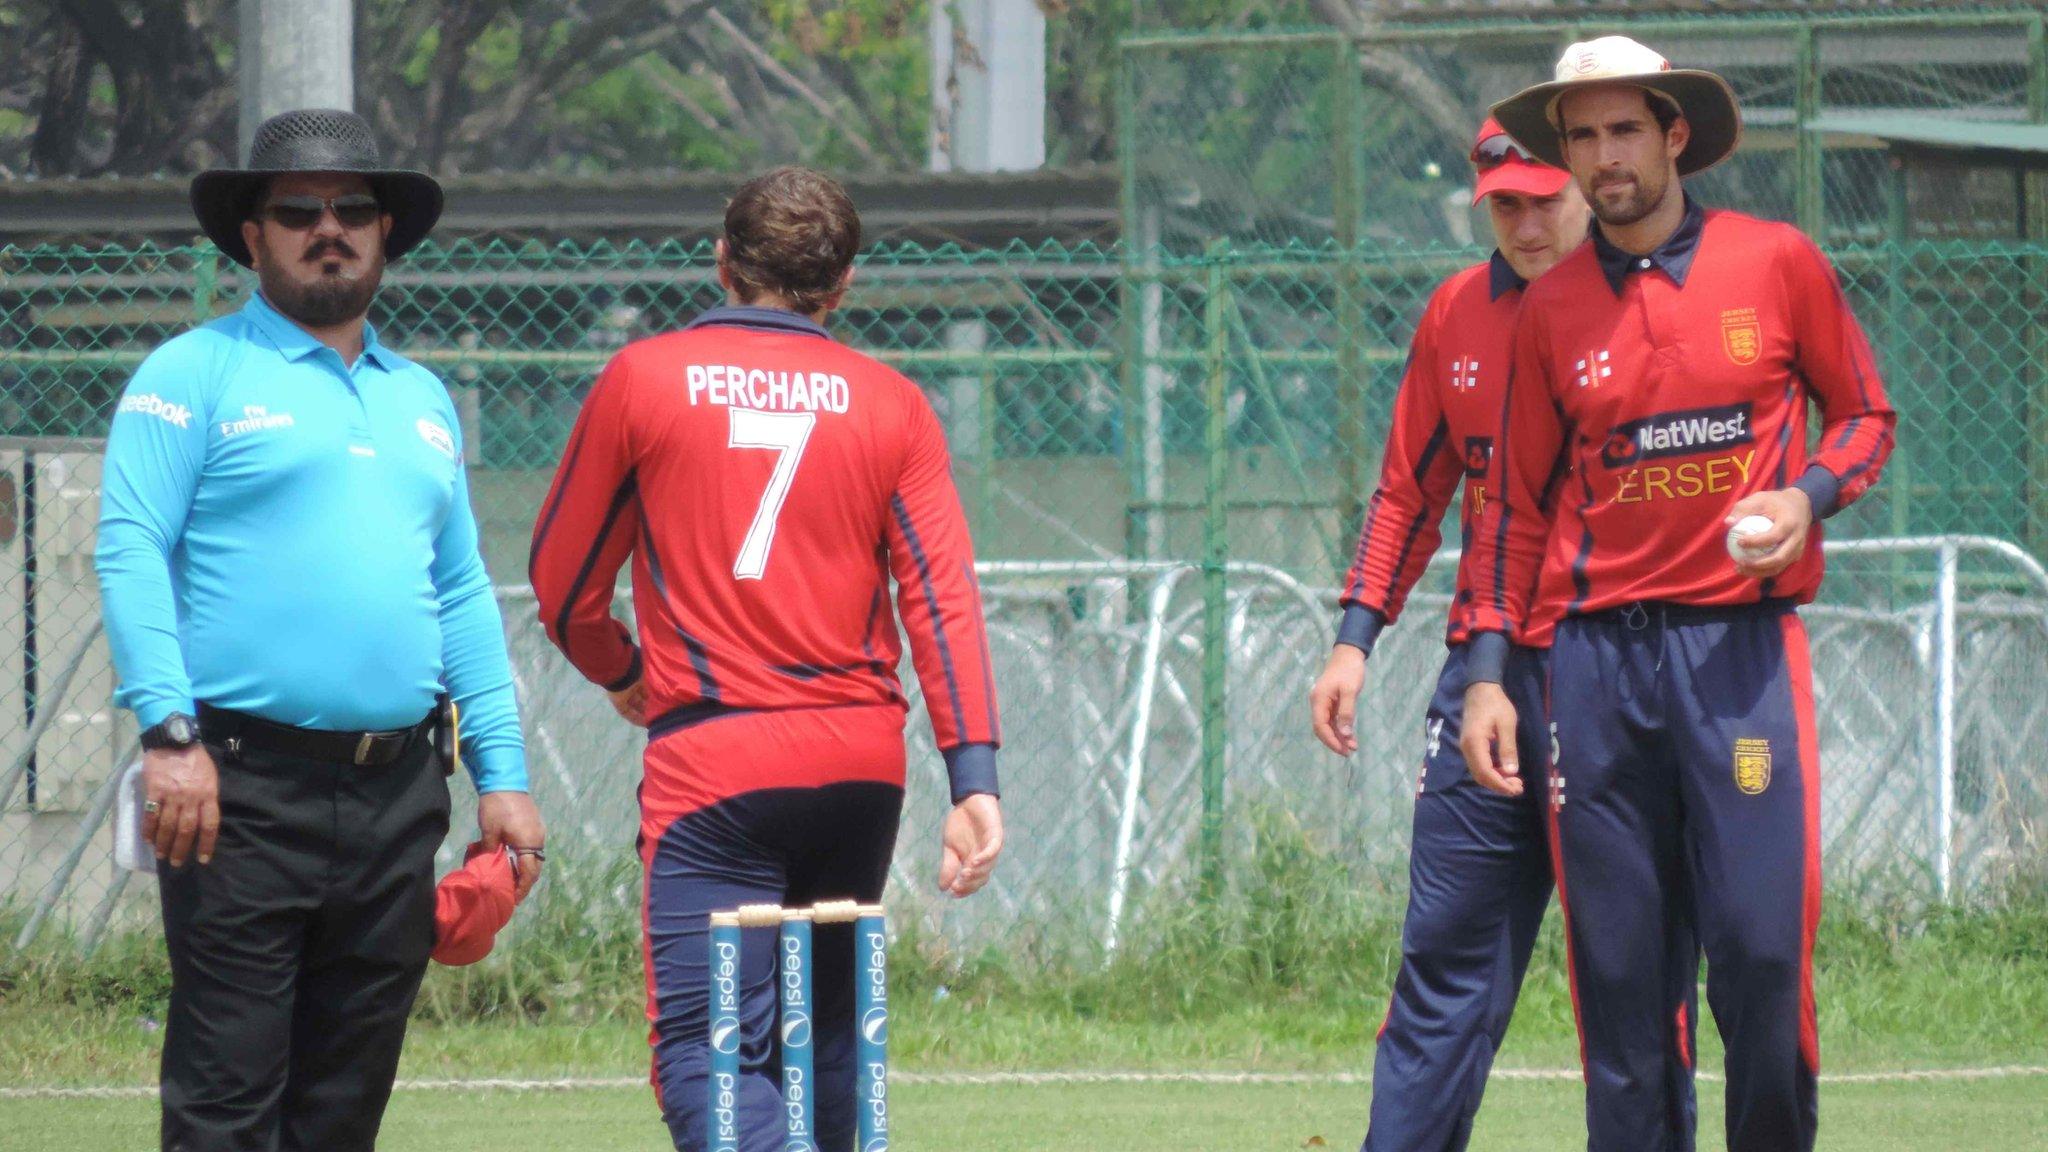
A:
(1719, 438)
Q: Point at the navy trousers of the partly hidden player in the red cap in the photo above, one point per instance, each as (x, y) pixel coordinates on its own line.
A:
(1480, 880)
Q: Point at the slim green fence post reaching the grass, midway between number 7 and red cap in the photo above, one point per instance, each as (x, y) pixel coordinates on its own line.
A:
(1215, 557)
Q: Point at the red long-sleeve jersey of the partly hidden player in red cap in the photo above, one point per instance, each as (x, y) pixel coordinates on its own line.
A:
(1445, 421)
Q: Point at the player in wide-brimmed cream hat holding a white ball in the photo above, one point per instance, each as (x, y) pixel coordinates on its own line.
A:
(1658, 397)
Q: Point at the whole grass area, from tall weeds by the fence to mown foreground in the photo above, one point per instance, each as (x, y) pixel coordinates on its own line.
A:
(1285, 979)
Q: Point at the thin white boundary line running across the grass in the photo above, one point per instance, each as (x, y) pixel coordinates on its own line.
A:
(1048, 1079)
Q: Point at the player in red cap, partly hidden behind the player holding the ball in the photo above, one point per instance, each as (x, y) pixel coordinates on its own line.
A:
(1480, 864)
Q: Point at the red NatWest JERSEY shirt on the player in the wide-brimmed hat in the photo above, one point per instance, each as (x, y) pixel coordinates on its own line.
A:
(1654, 393)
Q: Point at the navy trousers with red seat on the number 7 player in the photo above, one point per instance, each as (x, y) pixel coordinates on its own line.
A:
(787, 809)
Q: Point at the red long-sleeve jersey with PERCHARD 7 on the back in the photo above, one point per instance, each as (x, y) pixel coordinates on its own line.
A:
(767, 483)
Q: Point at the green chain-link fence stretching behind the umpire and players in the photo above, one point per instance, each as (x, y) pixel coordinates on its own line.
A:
(1164, 450)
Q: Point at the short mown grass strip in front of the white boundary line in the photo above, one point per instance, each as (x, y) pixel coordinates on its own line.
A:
(1979, 1116)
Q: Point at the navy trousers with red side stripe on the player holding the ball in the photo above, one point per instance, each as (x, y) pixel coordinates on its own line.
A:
(1687, 796)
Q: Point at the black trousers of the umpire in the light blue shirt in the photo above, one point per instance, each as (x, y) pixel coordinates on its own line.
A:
(296, 954)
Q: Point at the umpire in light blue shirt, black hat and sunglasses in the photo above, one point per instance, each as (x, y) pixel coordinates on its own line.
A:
(292, 587)
